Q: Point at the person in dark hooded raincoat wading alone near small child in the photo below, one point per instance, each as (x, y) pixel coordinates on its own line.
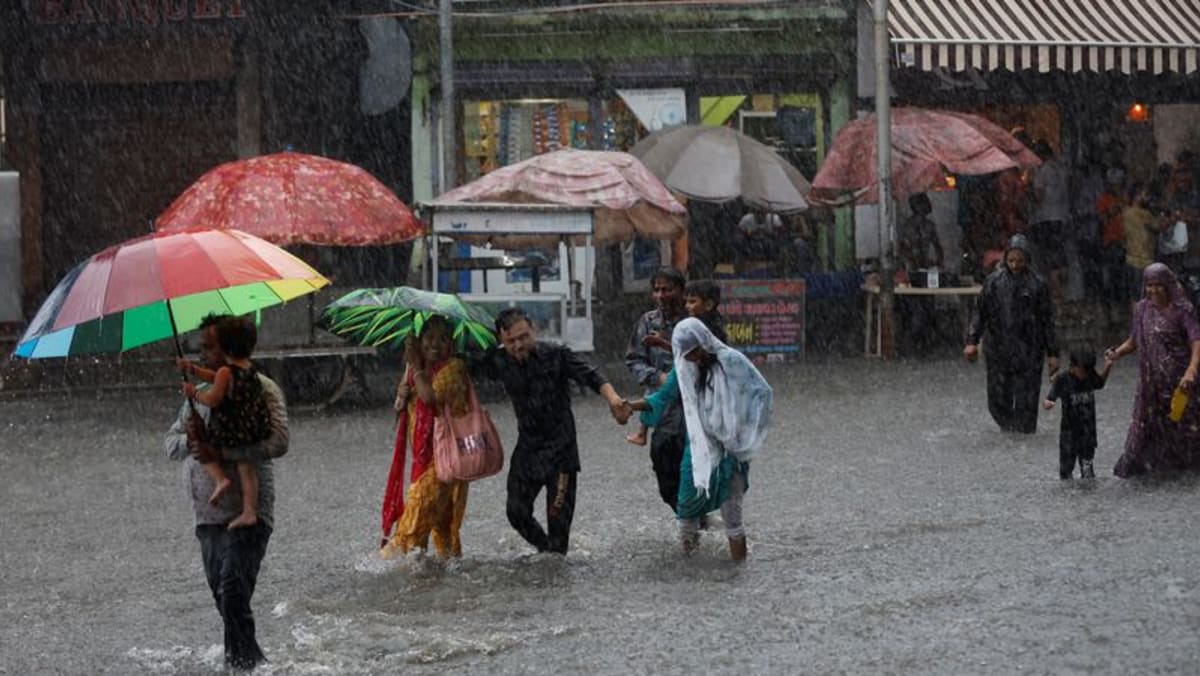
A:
(1015, 320)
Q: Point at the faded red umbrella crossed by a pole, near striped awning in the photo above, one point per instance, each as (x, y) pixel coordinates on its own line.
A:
(926, 147)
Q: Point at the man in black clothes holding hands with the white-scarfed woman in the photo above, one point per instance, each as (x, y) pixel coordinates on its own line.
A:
(537, 376)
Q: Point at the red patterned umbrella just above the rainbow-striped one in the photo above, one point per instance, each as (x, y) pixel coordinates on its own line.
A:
(295, 199)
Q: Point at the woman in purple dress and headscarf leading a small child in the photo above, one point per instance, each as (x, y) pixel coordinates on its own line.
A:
(1166, 336)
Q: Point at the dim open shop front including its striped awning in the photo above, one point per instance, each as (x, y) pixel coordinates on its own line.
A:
(1108, 86)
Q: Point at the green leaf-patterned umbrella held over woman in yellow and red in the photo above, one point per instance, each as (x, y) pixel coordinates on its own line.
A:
(385, 318)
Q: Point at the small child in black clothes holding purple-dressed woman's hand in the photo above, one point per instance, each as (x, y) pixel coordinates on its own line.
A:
(1077, 436)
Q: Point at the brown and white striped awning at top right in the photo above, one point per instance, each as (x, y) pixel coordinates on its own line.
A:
(1071, 35)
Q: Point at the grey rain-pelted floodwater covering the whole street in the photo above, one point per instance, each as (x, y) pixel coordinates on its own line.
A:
(893, 530)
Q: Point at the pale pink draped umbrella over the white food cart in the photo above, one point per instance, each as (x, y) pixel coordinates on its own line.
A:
(626, 198)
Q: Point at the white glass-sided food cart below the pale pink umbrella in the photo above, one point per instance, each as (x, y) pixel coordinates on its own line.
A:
(496, 232)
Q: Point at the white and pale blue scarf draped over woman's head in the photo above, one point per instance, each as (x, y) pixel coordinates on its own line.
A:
(733, 412)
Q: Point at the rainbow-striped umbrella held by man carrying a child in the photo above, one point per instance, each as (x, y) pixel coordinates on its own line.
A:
(160, 286)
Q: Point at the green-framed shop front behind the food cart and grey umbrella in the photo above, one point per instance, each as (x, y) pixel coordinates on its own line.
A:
(605, 80)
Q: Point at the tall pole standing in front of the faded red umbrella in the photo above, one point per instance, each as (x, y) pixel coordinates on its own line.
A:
(884, 155)
